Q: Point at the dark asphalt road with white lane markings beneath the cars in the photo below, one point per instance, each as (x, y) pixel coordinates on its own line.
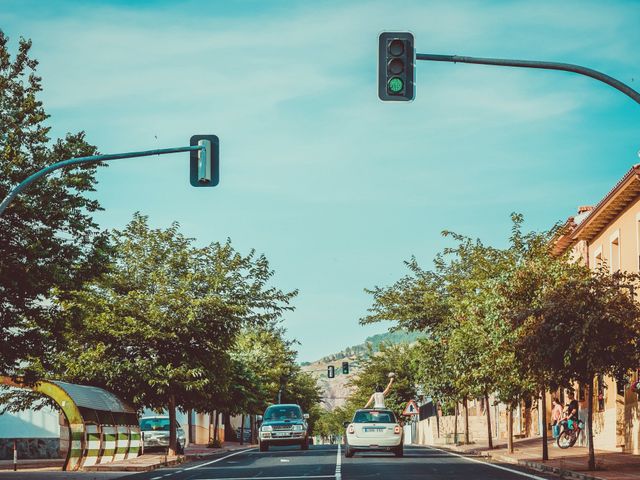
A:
(323, 462)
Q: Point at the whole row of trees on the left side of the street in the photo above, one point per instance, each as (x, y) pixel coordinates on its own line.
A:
(143, 312)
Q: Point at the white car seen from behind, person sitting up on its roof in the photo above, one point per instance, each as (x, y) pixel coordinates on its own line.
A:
(374, 429)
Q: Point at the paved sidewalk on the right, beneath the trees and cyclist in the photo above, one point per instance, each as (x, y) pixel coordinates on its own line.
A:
(569, 463)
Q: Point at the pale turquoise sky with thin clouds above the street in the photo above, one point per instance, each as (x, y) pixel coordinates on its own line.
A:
(334, 186)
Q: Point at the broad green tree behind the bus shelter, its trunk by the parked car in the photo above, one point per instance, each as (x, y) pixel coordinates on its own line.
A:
(157, 328)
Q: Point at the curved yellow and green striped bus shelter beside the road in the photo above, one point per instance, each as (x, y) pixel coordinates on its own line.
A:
(101, 427)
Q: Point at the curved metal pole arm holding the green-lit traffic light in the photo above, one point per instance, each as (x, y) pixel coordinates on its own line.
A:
(567, 67)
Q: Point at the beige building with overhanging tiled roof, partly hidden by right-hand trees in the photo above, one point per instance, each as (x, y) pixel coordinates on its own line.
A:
(608, 236)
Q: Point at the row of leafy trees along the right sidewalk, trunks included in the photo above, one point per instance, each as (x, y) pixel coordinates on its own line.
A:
(514, 322)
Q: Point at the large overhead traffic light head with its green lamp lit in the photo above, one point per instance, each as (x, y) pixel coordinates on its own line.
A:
(396, 66)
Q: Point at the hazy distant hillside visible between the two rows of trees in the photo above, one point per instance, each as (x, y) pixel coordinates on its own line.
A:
(335, 390)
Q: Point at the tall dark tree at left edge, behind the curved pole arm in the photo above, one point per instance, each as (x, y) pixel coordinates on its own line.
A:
(48, 239)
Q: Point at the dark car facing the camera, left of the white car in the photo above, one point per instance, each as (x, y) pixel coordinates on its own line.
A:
(284, 424)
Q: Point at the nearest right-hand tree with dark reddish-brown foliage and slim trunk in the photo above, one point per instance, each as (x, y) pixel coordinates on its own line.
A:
(599, 320)
